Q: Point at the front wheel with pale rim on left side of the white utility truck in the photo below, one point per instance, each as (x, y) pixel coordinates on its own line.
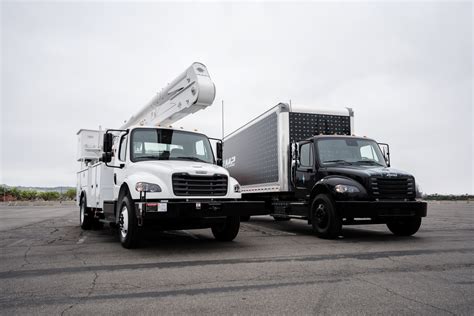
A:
(128, 224)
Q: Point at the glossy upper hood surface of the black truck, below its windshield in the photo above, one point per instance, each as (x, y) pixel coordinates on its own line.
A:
(361, 173)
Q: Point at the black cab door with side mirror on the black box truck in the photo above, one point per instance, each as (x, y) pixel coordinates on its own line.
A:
(305, 170)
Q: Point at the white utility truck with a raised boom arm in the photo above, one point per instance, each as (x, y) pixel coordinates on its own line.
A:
(148, 174)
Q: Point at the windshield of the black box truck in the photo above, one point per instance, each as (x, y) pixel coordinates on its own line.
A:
(349, 151)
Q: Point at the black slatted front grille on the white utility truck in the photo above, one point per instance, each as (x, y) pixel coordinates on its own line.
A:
(189, 185)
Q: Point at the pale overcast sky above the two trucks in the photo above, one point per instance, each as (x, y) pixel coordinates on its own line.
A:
(405, 68)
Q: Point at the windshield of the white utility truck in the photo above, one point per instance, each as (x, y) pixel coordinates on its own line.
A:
(166, 144)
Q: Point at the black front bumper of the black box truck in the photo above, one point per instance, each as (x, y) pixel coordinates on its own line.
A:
(381, 209)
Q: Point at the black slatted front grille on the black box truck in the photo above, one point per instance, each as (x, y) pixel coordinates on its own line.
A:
(393, 188)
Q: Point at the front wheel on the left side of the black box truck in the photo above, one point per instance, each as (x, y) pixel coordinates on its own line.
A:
(325, 220)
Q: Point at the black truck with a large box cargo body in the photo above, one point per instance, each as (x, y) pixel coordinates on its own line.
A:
(306, 164)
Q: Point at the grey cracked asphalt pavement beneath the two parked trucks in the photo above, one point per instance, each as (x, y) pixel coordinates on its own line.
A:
(48, 265)
